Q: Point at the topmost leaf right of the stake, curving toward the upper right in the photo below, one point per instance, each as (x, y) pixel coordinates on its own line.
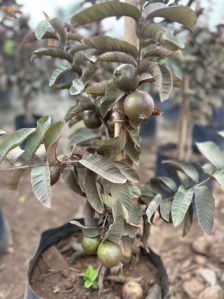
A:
(181, 14)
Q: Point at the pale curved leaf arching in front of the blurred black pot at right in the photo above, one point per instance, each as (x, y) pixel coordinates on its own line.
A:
(185, 167)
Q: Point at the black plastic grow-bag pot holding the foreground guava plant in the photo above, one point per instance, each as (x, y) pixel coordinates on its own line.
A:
(53, 236)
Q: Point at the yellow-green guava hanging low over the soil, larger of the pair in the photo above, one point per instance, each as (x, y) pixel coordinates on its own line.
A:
(109, 254)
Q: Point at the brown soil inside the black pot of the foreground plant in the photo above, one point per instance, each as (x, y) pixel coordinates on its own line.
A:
(63, 279)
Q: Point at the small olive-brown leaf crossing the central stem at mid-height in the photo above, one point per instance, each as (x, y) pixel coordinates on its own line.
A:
(110, 148)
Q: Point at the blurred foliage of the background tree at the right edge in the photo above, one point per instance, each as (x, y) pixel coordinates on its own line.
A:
(204, 62)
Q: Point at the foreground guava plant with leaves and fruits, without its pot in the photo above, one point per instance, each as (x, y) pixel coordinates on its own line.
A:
(104, 142)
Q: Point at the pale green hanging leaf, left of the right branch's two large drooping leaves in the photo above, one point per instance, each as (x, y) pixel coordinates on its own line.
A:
(180, 205)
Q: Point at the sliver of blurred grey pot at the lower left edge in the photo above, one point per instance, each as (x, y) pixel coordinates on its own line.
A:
(5, 234)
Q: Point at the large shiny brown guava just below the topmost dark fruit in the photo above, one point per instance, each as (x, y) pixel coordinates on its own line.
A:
(138, 106)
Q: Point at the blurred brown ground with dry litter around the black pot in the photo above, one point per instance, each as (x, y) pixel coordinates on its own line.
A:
(195, 264)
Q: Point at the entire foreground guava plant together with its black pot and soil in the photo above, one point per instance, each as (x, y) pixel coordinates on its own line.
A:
(99, 166)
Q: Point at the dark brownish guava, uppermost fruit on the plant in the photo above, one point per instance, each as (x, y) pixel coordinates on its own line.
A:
(126, 77)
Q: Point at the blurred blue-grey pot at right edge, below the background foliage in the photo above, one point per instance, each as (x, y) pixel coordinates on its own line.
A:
(202, 133)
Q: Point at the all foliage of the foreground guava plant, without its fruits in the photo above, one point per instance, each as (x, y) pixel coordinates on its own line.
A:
(91, 168)
